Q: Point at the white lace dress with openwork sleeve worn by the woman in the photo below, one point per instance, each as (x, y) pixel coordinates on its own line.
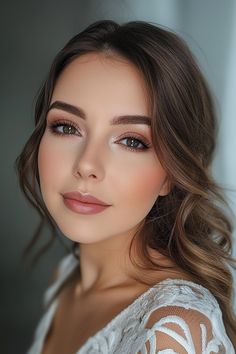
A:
(174, 316)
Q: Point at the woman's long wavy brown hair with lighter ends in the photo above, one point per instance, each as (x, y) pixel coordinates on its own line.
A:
(189, 225)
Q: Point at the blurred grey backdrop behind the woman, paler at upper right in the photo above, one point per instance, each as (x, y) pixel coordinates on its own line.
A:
(32, 32)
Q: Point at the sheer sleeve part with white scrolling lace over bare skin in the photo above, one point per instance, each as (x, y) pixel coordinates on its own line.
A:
(176, 330)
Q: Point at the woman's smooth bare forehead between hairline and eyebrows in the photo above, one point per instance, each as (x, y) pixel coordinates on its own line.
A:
(99, 77)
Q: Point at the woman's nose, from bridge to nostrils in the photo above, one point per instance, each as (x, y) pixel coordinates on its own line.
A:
(89, 163)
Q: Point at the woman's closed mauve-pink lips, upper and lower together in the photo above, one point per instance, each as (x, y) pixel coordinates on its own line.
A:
(86, 204)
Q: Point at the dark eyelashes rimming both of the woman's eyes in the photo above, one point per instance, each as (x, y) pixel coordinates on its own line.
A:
(53, 126)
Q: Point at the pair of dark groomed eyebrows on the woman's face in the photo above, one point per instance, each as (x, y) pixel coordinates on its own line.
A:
(124, 119)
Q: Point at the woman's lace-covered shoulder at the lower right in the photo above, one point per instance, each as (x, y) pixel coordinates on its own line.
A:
(183, 317)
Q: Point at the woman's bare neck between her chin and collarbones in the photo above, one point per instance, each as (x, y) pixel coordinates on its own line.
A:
(105, 264)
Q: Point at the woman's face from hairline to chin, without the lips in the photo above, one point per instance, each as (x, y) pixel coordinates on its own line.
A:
(93, 156)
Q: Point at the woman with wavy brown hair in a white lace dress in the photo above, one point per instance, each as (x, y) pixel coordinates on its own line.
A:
(119, 161)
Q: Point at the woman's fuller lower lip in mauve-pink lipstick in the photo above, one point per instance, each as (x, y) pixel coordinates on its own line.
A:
(83, 208)
